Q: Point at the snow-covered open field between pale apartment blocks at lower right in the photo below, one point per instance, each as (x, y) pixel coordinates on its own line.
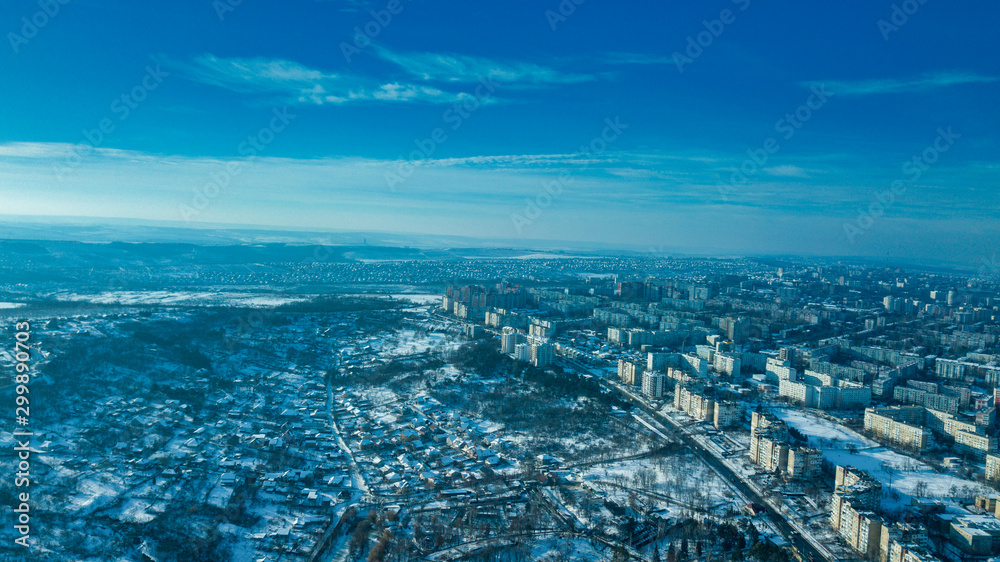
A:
(900, 472)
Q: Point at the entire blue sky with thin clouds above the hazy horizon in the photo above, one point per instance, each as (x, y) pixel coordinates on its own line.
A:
(729, 126)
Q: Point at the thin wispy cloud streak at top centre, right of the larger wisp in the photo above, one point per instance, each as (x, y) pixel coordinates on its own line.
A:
(451, 68)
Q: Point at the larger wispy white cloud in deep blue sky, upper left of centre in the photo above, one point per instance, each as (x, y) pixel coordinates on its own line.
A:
(291, 82)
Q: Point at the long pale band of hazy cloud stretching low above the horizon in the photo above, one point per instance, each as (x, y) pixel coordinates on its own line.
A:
(474, 194)
